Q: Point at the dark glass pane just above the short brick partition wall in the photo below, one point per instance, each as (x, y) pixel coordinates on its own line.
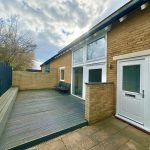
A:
(95, 75)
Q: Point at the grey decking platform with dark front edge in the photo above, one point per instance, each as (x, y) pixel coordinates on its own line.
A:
(41, 113)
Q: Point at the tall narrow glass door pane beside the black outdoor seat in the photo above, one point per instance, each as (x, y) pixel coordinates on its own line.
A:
(78, 81)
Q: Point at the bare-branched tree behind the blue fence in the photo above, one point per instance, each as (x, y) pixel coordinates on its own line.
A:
(16, 49)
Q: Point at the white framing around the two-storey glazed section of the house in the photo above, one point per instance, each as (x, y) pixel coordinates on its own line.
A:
(90, 64)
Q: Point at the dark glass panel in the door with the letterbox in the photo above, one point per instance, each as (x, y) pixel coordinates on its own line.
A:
(131, 78)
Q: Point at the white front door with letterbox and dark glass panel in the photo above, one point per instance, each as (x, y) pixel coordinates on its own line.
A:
(131, 89)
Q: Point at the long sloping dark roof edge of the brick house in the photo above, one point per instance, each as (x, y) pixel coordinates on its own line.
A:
(124, 10)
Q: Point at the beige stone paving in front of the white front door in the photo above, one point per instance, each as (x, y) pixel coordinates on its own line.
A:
(110, 134)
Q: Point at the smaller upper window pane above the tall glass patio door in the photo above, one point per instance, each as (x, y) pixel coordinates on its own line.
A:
(78, 56)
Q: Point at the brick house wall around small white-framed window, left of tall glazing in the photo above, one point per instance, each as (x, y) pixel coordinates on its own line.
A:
(63, 61)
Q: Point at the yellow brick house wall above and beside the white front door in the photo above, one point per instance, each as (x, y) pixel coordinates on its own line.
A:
(132, 35)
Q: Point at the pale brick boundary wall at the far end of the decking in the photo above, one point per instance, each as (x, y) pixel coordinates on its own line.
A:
(34, 80)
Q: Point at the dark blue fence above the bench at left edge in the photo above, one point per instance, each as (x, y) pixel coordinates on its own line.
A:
(5, 78)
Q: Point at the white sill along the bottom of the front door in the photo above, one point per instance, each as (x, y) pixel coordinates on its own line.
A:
(133, 123)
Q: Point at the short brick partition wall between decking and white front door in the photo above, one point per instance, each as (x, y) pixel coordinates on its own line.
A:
(100, 101)
